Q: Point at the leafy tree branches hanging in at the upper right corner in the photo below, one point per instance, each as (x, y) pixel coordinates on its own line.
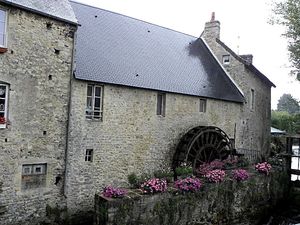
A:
(287, 13)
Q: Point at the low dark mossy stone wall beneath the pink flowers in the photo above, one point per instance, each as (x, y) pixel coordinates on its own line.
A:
(227, 203)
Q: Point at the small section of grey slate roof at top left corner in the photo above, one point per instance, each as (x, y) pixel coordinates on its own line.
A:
(58, 9)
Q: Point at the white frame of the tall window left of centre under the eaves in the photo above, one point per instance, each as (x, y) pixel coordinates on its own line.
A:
(90, 112)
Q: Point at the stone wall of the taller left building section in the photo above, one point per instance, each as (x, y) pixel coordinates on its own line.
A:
(37, 67)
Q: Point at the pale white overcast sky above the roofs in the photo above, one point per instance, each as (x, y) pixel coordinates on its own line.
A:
(244, 28)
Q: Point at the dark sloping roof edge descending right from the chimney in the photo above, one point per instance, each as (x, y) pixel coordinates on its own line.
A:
(247, 64)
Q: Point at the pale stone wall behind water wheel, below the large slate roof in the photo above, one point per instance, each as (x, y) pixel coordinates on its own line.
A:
(131, 137)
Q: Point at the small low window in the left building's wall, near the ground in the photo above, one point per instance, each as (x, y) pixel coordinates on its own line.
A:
(33, 176)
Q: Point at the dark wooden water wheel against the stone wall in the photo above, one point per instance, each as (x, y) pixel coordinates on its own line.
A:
(201, 145)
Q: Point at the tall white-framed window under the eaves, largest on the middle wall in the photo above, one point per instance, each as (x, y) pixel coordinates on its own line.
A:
(94, 102)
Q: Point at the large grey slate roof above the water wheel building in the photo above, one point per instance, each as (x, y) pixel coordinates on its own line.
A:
(116, 49)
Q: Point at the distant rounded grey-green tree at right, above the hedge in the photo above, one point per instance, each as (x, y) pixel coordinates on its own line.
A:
(288, 103)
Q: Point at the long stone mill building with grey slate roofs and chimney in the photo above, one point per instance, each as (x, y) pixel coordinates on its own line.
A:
(82, 113)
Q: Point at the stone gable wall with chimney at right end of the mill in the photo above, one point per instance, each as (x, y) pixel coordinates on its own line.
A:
(253, 129)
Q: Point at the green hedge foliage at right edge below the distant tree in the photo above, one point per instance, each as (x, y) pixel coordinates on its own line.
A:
(285, 121)
